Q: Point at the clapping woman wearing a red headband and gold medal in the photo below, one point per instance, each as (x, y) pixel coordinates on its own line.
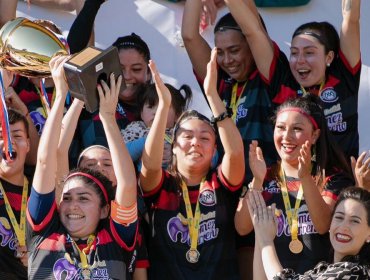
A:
(304, 185)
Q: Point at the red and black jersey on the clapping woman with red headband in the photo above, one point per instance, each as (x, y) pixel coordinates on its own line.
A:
(316, 247)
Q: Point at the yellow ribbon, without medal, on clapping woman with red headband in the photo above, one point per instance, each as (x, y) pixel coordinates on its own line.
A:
(292, 214)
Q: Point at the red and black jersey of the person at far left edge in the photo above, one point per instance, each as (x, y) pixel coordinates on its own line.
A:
(10, 266)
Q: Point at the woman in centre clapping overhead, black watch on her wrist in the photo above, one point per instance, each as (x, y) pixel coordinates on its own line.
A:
(192, 202)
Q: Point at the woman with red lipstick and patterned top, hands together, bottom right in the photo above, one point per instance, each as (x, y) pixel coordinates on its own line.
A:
(349, 236)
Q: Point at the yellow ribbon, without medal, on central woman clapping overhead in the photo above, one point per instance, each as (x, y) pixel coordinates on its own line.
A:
(193, 221)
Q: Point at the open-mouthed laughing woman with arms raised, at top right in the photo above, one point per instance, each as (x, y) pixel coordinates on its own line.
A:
(321, 62)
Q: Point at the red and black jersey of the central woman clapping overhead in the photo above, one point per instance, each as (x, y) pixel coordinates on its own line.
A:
(170, 238)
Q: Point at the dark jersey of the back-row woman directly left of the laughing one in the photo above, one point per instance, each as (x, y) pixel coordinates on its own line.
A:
(254, 113)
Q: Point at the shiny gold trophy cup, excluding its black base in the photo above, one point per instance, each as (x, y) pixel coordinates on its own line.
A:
(26, 48)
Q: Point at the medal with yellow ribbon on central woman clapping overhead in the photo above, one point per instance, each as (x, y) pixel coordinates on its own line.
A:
(192, 255)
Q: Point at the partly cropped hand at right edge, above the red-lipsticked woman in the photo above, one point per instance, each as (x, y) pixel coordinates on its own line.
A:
(361, 170)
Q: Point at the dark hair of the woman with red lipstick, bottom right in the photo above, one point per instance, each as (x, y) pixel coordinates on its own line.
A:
(362, 196)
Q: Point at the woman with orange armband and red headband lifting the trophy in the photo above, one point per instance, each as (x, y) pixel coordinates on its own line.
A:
(88, 236)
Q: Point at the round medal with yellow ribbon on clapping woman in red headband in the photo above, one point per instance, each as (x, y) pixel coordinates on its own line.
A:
(295, 245)
